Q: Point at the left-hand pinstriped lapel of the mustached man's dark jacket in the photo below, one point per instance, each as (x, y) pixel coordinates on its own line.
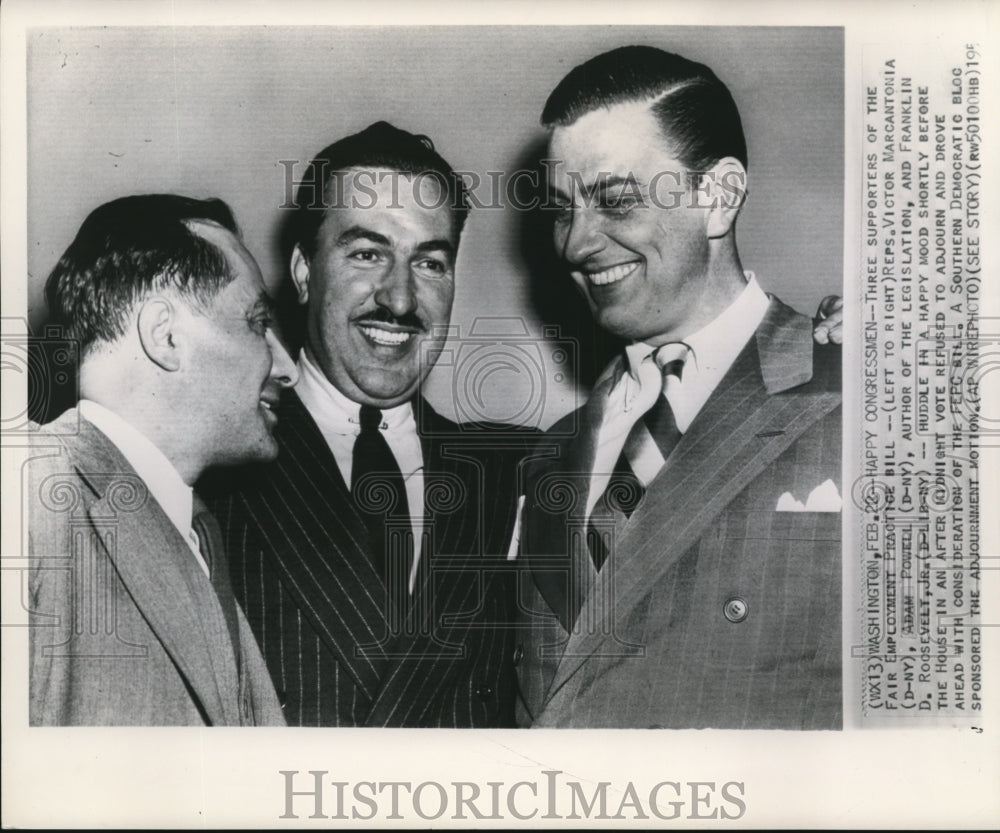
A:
(320, 544)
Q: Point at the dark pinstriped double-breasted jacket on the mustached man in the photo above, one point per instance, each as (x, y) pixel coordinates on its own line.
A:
(302, 571)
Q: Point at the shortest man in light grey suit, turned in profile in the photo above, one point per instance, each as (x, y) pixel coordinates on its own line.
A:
(133, 618)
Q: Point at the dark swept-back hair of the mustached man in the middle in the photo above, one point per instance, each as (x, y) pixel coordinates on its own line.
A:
(380, 145)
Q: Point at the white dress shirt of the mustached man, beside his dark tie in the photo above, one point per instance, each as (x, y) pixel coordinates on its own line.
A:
(339, 423)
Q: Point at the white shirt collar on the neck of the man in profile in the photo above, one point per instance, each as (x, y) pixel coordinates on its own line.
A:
(165, 484)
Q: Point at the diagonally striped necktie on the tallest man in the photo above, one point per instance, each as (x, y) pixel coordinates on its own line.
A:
(624, 491)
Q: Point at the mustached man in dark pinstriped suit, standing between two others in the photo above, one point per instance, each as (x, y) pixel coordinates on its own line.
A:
(362, 555)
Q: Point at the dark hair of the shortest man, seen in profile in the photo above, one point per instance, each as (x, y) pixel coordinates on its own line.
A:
(127, 249)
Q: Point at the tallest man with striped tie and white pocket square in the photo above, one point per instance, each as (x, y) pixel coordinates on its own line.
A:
(684, 544)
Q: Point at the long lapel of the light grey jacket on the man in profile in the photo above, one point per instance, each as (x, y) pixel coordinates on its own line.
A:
(160, 574)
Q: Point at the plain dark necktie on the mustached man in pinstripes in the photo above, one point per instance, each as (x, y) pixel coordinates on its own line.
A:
(380, 494)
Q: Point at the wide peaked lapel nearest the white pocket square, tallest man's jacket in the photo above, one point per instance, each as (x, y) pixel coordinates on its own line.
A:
(745, 425)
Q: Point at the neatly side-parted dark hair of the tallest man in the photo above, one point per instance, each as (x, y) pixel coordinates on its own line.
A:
(695, 110)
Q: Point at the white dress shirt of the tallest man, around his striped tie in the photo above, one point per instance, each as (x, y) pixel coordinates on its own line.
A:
(710, 353)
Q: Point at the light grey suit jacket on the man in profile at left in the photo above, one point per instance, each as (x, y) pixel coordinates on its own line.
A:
(126, 628)
